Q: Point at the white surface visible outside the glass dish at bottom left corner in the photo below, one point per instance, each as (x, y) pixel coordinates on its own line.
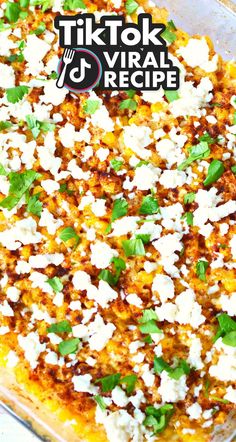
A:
(12, 431)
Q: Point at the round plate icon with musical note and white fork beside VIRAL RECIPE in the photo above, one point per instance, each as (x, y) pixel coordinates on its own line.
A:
(79, 70)
